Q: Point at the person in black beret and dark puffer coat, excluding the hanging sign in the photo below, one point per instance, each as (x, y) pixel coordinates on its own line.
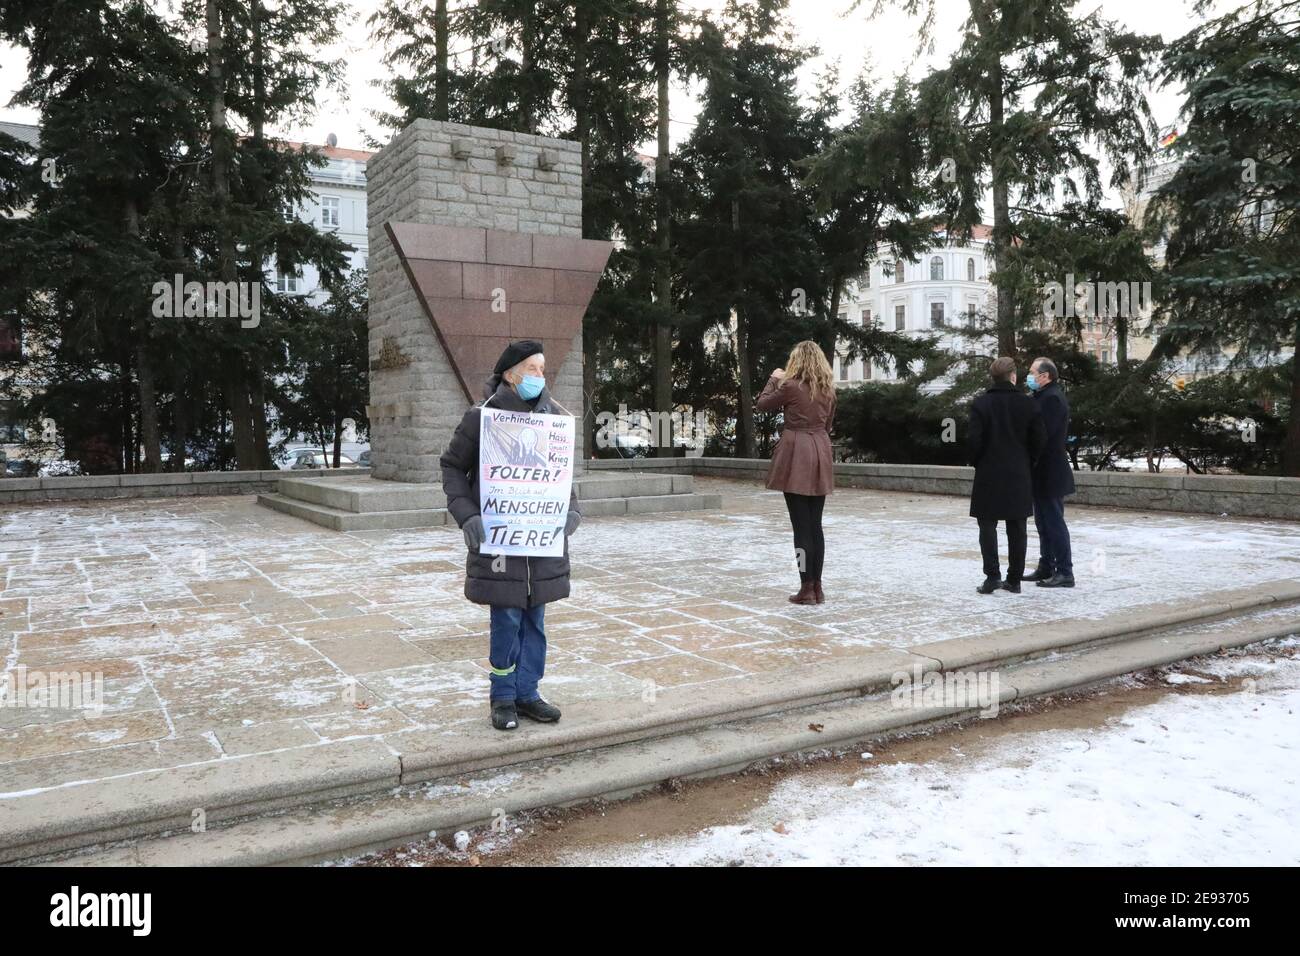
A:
(515, 589)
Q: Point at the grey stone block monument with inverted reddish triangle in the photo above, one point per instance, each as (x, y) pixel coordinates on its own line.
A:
(475, 241)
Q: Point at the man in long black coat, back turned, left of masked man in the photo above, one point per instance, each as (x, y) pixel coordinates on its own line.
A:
(1004, 440)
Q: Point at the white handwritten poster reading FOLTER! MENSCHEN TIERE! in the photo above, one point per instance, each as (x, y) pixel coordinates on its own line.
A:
(526, 474)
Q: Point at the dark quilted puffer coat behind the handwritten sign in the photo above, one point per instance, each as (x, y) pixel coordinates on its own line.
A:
(523, 582)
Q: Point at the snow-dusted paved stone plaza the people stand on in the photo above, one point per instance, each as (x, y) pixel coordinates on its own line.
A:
(223, 629)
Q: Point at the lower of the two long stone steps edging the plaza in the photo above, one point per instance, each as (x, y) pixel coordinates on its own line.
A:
(621, 767)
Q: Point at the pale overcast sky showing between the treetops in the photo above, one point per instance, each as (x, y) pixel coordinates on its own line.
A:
(887, 44)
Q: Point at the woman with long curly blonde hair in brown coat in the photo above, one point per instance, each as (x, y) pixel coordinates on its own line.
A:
(801, 462)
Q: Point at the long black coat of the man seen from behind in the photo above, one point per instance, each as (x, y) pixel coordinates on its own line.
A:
(1006, 438)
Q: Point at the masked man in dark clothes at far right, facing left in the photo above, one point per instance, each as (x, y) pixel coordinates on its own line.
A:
(1054, 479)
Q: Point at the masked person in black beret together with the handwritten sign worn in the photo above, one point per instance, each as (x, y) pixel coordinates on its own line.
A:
(509, 478)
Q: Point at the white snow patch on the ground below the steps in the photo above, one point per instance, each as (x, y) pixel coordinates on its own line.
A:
(1193, 780)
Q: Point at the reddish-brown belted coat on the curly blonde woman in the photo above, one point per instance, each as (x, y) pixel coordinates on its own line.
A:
(801, 462)
